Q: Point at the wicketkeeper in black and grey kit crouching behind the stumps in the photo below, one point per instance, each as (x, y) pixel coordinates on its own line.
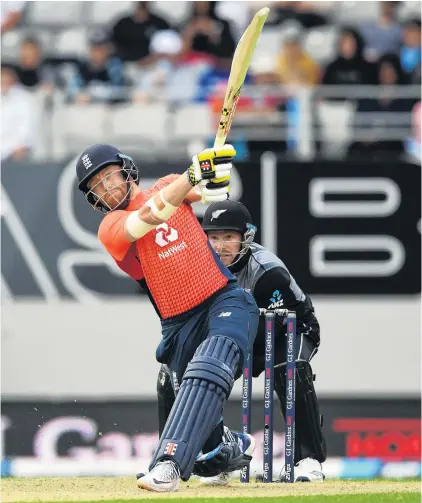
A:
(231, 232)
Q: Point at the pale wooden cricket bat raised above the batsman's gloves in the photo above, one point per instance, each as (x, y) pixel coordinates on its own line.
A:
(240, 64)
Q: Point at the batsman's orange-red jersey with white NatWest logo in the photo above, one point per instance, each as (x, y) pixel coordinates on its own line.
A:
(174, 261)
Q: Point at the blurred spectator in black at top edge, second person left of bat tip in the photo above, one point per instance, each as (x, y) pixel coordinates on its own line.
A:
(132, 35)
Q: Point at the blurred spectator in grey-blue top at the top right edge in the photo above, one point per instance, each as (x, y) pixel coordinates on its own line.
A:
(383, 35)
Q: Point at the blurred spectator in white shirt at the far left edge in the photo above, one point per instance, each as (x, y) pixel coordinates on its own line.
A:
(18, 114)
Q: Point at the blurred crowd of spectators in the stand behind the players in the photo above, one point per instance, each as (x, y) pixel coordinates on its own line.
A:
(144, 57)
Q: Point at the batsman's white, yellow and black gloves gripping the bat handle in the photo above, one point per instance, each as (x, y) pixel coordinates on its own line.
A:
(211, 170)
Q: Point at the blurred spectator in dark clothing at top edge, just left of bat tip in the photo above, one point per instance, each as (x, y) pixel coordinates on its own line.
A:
(206, 33)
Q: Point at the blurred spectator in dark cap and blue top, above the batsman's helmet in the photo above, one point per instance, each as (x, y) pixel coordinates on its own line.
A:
(99, 79)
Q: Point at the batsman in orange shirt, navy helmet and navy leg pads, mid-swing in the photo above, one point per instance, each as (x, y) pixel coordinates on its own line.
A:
(208, 321)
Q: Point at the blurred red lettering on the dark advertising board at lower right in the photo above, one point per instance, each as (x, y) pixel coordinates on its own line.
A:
(386, 439)
